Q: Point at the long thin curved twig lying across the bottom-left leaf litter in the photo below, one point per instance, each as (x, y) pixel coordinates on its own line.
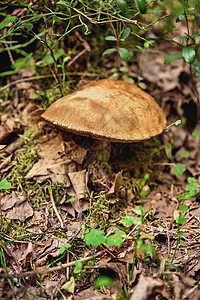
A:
(48, 270)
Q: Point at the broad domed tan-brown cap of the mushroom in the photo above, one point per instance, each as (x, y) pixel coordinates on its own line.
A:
(108, 110)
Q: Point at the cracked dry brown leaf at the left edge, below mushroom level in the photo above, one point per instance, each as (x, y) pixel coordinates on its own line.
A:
(16, 207)
